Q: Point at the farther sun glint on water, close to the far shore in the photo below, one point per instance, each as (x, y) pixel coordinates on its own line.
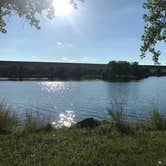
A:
(52, 86)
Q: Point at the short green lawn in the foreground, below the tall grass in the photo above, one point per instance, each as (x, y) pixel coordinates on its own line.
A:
(68, 147)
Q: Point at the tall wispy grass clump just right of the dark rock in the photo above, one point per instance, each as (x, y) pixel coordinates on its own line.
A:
(118, 118)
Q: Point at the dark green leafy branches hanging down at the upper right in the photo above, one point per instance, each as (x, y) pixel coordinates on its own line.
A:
(155, 28)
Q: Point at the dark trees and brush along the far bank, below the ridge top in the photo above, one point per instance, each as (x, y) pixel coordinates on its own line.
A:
(113, 71)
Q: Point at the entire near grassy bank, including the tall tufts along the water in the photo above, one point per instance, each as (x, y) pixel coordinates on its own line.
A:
(90, 143)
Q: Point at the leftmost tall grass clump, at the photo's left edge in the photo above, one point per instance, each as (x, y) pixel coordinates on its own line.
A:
(8, 120)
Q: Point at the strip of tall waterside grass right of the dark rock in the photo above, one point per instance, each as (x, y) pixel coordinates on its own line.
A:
(156, 120)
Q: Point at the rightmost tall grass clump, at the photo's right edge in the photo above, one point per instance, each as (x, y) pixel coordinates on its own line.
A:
(157, 121)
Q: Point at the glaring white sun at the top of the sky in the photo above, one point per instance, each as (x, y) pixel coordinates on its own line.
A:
(62, 7)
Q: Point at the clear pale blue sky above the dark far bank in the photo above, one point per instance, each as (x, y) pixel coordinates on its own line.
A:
(98, 32)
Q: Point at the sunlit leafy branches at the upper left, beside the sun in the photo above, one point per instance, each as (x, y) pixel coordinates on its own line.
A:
(30, 10)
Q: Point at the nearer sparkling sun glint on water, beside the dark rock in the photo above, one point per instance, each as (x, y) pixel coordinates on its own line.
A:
(65, 119)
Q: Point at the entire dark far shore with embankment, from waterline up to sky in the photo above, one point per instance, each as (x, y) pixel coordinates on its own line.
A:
(114, 71)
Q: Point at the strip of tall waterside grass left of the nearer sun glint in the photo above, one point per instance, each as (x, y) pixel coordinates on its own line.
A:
(9, 122)
